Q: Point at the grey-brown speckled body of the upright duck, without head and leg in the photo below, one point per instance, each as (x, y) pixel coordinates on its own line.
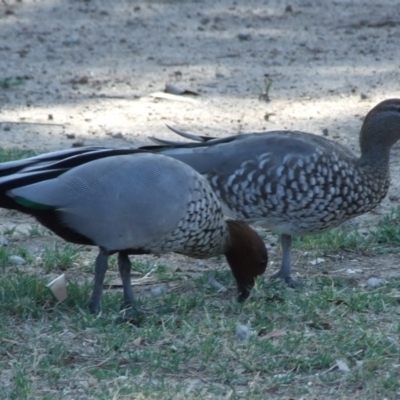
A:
(291, 182)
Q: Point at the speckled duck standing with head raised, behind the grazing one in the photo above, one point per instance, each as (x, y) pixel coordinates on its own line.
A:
(295, 183)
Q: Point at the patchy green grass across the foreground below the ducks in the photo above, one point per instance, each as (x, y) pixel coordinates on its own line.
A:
(186, 344)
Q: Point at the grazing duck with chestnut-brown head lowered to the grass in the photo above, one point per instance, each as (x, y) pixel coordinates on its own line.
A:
(137, 203)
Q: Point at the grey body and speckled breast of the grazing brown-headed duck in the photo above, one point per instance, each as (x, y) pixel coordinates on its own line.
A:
(142, 202)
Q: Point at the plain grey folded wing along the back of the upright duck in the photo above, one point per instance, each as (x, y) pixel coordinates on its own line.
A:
(222, 156)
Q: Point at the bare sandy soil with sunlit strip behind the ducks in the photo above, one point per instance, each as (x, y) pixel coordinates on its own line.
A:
(91, 72)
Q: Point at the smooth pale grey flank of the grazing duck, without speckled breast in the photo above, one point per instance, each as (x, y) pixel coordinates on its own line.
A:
(119, 202)
